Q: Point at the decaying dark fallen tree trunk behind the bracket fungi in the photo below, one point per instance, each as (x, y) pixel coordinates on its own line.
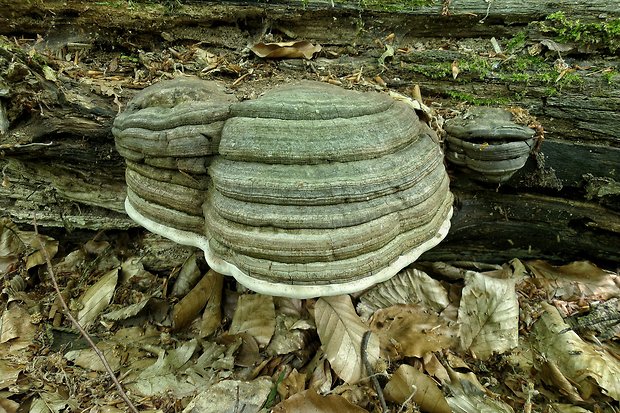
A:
(68, 67)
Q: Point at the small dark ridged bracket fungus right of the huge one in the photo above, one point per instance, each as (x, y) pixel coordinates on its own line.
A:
(486, 143)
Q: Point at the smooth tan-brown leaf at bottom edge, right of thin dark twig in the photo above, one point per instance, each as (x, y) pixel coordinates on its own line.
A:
(408, 380)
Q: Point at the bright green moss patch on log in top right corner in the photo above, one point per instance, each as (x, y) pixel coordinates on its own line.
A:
(605, 35)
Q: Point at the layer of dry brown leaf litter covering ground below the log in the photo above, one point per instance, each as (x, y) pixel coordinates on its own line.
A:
(527, 336)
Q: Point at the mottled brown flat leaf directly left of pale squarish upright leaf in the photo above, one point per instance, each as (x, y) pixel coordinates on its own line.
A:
(416, 331)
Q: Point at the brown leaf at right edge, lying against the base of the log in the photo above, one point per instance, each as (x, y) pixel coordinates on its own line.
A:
(575, 281)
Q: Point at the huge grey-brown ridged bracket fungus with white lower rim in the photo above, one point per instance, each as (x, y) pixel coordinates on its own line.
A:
(309, 190)
